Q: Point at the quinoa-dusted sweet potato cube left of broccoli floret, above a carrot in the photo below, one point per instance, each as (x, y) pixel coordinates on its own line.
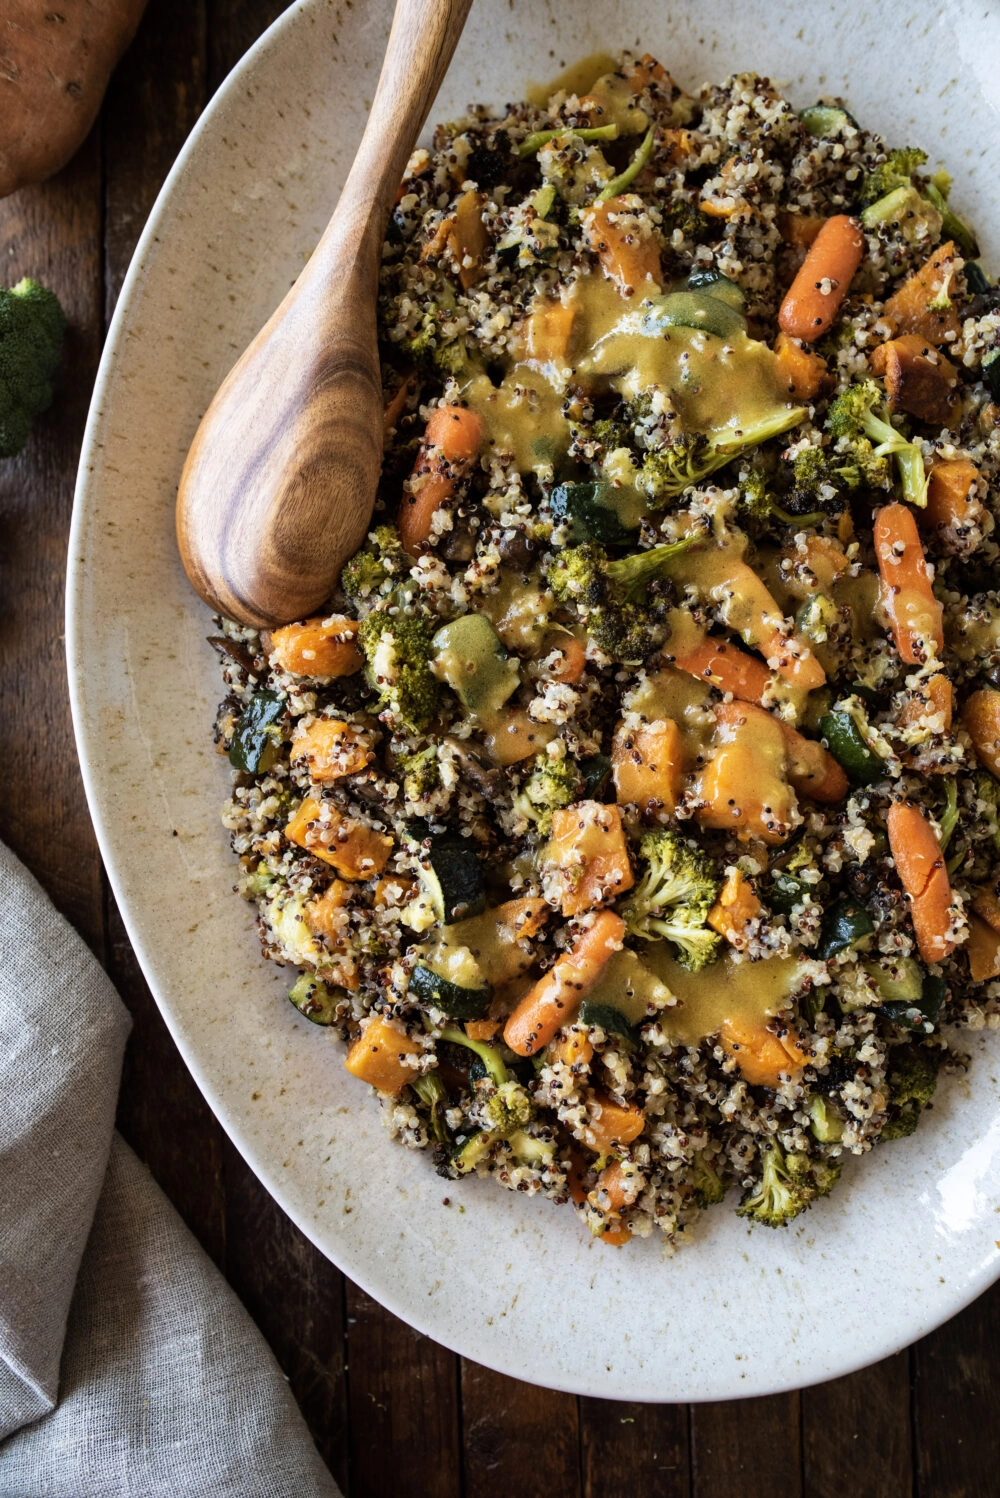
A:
(589, 850)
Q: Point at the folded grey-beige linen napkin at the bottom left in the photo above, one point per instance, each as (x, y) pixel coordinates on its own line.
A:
(128, 1367)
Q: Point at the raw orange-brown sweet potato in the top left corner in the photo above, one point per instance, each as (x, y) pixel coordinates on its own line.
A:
(55, 68)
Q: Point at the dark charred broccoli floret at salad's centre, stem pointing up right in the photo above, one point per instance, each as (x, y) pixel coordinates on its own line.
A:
(613, 597)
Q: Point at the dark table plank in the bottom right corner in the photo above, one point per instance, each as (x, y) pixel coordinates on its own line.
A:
(956, 1397)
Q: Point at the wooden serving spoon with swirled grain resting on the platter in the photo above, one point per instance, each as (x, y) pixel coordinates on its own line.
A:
(281, 479)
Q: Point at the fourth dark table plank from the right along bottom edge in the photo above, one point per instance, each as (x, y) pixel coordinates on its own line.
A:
(641, 1446)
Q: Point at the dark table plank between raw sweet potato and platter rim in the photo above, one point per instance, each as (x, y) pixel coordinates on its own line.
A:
(152, 106)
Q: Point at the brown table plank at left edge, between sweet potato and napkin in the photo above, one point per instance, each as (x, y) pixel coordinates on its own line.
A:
(52, 233)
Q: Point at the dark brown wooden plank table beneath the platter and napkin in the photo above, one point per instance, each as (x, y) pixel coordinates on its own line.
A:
(391, 1412)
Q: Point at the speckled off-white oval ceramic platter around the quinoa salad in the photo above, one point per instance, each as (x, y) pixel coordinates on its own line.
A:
(231, 230)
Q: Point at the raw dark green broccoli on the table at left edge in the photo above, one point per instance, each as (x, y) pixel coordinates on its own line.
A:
(32, 329)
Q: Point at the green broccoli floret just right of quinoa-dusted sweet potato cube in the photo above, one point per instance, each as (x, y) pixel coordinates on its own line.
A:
(674, 897)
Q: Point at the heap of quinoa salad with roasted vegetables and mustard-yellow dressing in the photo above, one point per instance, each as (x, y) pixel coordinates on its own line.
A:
(433, 832)
